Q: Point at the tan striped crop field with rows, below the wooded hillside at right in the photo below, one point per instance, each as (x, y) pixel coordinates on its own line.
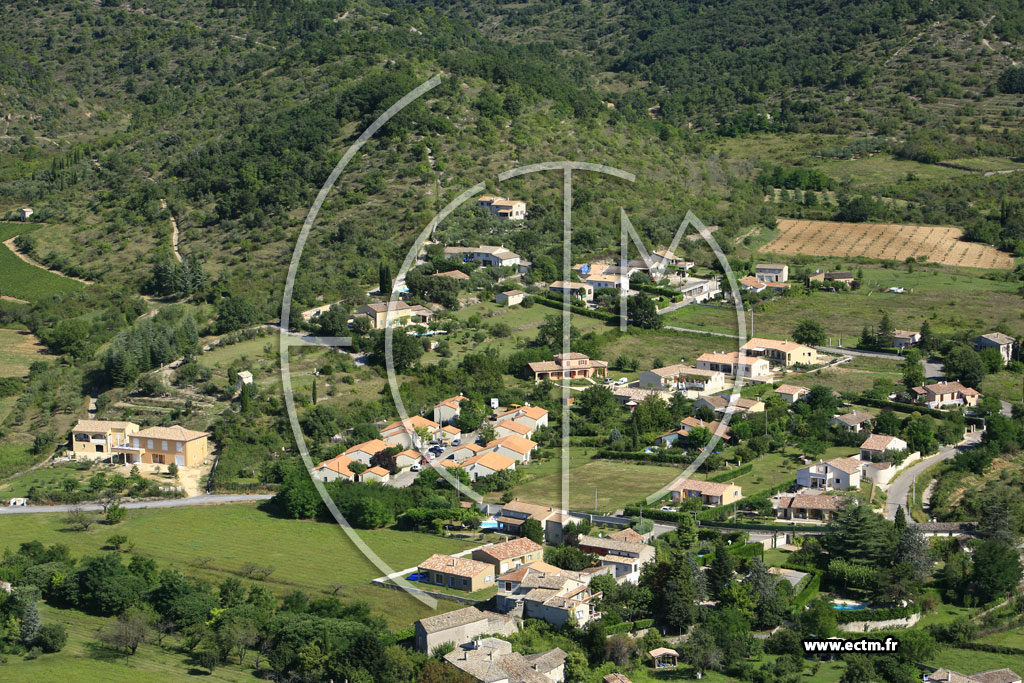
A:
(891, 242)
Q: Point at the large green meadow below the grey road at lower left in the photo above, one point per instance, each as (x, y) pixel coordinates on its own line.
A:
(215, 542)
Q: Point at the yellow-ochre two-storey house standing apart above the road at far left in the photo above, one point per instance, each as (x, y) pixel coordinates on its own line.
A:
(125, 443)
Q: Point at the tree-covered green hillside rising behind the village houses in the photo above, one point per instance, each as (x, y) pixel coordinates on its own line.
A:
(233, 113)
